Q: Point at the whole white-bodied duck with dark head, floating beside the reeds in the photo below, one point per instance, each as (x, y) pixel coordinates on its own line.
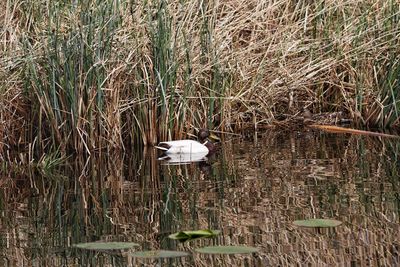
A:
(188, 146)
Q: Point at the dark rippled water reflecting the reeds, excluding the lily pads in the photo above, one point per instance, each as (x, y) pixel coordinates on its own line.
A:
(252, 190)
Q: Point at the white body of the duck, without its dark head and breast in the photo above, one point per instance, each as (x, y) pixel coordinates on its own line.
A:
(183, 147)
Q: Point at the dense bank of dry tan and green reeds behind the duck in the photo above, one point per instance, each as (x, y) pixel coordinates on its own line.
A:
(91, 74)
